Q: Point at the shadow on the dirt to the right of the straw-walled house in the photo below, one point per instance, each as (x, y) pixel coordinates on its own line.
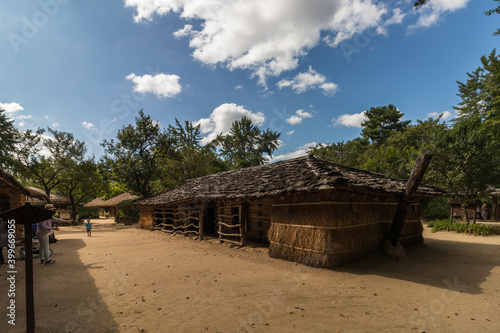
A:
(453, 265)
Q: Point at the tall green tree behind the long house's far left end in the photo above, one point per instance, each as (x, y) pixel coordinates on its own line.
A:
(134, 159)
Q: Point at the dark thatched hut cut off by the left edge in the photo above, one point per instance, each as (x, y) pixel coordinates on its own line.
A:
(12, 195)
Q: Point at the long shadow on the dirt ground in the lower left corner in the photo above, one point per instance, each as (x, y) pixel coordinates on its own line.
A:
(66, 297)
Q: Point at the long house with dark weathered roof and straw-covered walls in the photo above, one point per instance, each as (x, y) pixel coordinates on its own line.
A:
(310, 211)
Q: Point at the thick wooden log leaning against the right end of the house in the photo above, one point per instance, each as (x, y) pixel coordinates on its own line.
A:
(416, 176)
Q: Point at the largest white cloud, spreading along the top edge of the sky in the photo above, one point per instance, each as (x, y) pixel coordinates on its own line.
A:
(266, 37)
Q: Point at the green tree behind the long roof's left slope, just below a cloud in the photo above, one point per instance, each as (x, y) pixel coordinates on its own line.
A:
(246, 145)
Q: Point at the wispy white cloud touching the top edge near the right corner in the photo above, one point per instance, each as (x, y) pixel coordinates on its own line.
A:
(430, 14)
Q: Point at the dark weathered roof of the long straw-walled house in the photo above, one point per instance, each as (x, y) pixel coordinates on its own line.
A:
(296, 175)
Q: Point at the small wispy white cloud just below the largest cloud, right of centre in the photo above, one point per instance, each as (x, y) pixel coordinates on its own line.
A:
(309, 80)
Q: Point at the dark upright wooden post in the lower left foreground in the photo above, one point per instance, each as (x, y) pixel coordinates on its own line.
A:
(30, 303)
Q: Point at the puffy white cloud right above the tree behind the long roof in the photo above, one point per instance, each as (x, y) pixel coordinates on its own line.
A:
(222, 118)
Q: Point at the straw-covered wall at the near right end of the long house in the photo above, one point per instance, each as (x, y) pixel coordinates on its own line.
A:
(328, 234)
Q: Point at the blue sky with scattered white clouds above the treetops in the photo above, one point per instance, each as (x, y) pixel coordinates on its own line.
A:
(307, 69)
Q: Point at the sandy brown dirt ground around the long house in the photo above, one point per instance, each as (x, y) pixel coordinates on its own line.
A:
(124, 279)
